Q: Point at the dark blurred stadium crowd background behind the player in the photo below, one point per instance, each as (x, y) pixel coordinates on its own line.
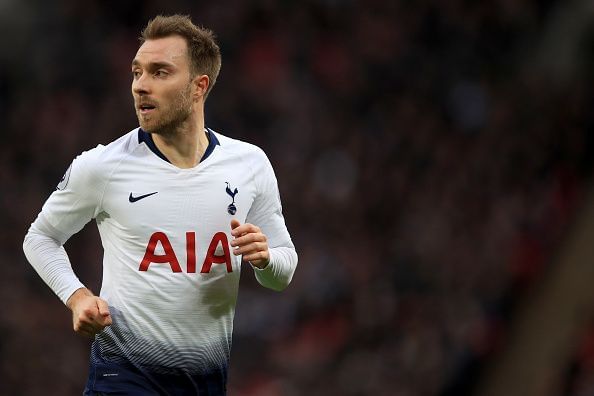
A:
(435, 164)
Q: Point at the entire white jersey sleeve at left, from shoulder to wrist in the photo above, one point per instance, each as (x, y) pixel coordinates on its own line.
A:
(76, 200)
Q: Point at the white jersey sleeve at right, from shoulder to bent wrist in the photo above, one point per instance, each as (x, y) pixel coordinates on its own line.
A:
(266, 213)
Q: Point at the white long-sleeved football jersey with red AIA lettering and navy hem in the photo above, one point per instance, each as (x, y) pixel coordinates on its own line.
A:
(169, 275)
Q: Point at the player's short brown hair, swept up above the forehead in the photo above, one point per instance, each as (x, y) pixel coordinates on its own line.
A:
(203, 51)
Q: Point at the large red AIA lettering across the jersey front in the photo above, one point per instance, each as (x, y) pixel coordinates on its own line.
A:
(169, 256)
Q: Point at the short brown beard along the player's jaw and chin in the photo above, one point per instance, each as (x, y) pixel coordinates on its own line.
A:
(171, 117)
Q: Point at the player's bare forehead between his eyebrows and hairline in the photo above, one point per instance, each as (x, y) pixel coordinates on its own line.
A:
(172, 49)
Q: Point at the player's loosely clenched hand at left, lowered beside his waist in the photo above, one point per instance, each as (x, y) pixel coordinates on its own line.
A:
(90, 314)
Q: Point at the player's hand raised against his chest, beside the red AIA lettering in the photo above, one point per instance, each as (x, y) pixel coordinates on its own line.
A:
(251, 243)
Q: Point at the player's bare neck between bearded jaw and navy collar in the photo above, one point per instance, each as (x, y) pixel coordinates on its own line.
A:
(184, 146)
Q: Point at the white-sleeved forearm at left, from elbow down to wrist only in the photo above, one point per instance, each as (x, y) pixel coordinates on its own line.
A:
(49, 259)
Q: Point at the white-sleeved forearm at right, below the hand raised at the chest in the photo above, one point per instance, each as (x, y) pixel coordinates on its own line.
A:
(278, 273)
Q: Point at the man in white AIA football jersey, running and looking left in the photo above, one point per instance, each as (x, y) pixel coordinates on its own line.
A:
(177, 206)
